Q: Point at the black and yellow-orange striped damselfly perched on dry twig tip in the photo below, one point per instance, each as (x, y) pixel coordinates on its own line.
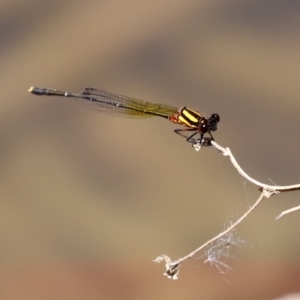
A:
(125, 106)
